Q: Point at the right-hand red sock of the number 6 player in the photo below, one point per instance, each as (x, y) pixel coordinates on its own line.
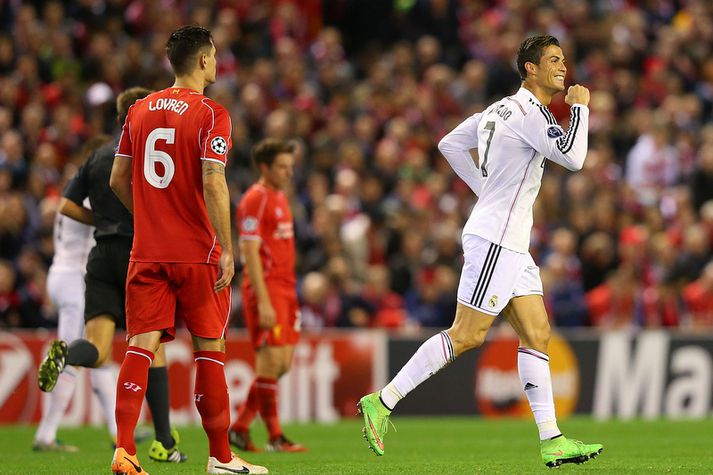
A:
(211, 398)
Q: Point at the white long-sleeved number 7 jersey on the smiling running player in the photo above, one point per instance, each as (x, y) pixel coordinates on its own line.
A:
(514, 136)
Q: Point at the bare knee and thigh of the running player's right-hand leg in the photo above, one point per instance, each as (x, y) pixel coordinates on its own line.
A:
(528, 317)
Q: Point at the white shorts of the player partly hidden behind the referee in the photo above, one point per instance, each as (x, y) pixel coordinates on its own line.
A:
(66, 290)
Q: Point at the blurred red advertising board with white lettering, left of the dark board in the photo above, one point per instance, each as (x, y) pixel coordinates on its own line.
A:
(330, 372)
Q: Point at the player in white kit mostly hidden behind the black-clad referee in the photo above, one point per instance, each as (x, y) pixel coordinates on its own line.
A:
(65, 286)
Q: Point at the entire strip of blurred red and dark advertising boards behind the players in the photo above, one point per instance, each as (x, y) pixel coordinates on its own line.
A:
(622, 375)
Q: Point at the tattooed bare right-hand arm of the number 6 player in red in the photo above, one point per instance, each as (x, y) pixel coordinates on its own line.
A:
(217, 200)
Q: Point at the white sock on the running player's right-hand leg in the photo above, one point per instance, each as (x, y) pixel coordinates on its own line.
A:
(534, 370)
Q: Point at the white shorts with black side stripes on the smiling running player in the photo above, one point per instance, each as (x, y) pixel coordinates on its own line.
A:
(492, 275)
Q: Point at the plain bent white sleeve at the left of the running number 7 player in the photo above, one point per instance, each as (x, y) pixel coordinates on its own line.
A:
(456, 147)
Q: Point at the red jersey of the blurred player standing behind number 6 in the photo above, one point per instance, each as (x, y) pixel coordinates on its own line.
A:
(264, 214)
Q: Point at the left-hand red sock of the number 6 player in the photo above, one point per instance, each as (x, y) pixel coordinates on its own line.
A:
(130, 391)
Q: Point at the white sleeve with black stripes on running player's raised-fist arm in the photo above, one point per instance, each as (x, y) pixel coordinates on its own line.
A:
(542, 132)
